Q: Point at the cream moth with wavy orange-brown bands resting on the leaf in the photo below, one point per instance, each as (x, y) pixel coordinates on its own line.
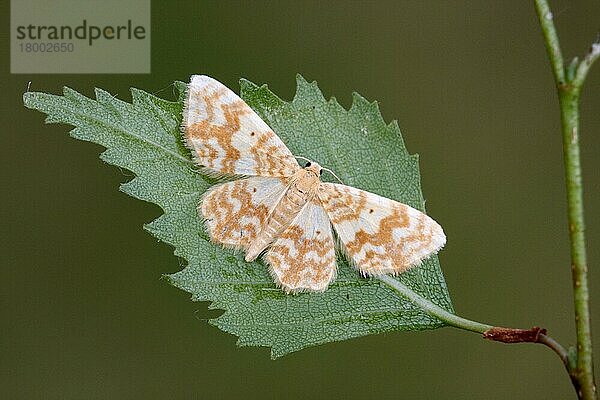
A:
(285, 211)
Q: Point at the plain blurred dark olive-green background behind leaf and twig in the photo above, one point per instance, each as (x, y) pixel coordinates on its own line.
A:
(85, 314)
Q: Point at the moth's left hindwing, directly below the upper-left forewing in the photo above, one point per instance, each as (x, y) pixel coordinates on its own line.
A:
(236, 211)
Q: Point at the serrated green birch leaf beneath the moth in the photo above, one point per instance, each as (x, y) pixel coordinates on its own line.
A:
(357, 144)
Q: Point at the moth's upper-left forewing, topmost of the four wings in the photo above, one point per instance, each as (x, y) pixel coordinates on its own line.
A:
(227, 137)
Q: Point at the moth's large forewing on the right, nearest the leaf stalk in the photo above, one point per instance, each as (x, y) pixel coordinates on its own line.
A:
(380, 236)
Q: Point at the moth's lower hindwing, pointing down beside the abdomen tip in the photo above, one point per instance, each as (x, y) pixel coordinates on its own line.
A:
(303, 257)
